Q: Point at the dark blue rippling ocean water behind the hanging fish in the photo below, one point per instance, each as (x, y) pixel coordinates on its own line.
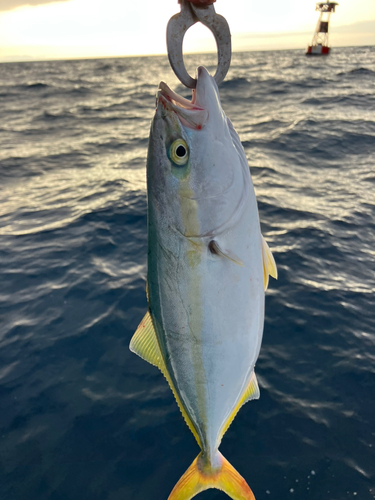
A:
(82, 418)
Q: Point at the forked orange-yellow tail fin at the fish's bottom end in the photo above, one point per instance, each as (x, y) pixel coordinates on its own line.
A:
(197, 478)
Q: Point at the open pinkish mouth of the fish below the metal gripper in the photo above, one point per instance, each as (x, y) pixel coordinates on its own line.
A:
(189, 113)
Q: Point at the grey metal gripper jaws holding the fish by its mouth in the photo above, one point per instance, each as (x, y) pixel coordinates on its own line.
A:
(178, 26)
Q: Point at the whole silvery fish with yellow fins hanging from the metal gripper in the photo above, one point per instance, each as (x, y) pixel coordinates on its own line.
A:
(208, 268)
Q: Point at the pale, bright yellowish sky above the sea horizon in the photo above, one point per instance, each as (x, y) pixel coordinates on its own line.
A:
(66, 29)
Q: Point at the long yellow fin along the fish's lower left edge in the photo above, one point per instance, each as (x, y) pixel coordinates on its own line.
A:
(146, 345)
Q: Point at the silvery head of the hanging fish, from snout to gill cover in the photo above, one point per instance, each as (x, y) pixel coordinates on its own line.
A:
(195, 175)
